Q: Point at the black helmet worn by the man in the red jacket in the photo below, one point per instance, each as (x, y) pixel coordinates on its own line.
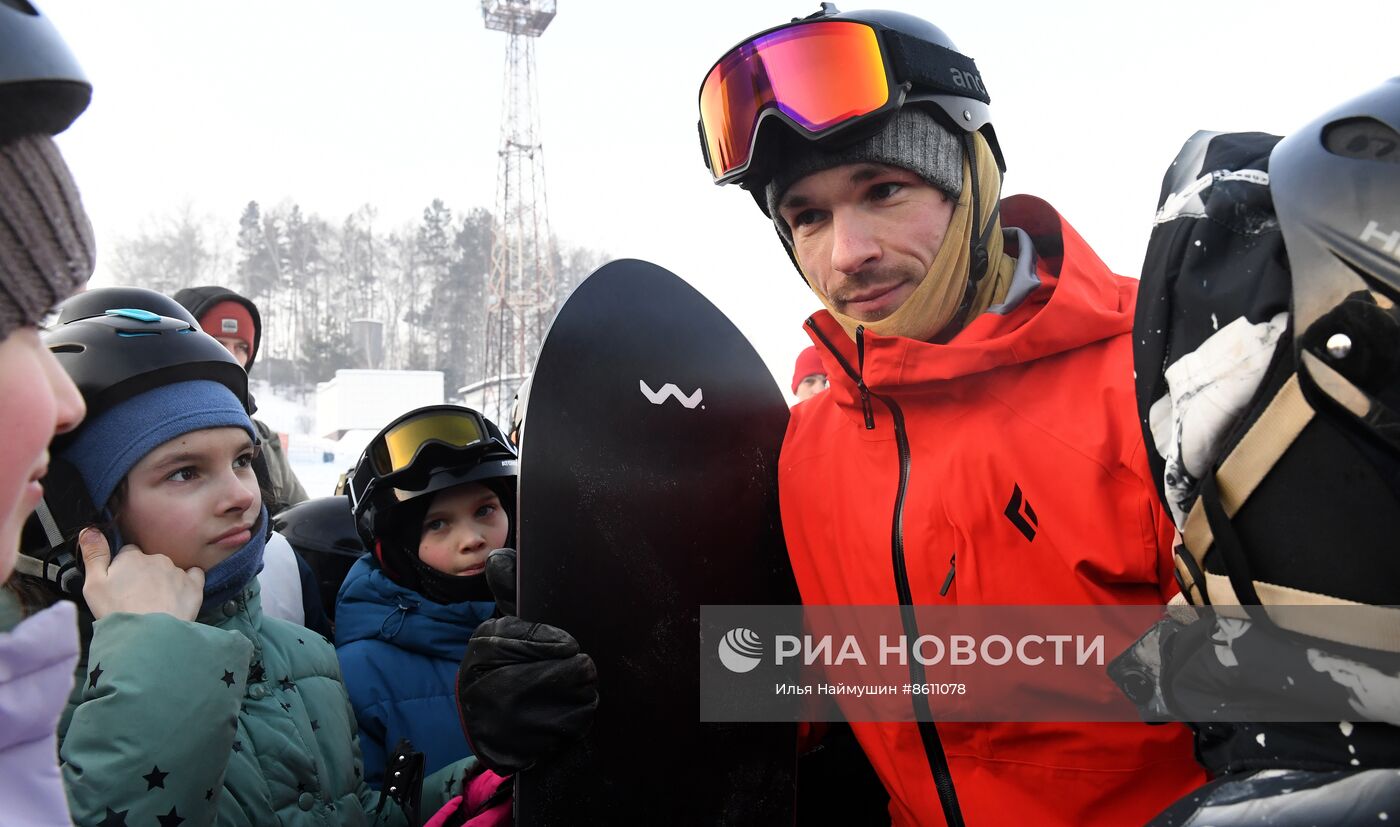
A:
(913, 47)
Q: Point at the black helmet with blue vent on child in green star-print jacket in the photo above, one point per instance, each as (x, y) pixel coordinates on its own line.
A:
(127, 352)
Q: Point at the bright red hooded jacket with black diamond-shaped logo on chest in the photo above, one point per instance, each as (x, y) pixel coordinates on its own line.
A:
(1035, 398)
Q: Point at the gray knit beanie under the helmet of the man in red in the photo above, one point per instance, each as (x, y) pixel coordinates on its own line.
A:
(912, 141)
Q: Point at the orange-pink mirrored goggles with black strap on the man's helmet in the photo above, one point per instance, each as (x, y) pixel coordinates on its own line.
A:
(821, 78)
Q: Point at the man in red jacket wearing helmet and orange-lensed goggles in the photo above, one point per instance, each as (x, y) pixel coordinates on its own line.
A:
(981, 397)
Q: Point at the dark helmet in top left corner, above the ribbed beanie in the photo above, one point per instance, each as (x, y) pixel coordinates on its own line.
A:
(43, 89)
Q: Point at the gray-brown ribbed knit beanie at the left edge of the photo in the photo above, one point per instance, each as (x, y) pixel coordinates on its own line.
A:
(47, 250)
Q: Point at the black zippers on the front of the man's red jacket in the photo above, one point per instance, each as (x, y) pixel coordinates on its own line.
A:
(927, 730)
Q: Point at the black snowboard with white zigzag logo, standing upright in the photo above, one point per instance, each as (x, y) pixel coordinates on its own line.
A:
(647, 489)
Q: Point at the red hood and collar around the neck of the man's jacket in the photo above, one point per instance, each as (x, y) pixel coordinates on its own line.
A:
(1058, 304)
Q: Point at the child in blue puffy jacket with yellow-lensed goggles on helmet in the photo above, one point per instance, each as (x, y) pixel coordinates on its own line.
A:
(433, 495)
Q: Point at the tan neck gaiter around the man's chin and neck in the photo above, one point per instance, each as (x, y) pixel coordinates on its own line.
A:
(932, 307)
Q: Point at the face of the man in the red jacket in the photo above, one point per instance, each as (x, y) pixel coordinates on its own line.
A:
(866, 234)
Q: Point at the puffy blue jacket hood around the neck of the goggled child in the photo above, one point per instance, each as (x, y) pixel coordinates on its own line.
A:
(373, 608)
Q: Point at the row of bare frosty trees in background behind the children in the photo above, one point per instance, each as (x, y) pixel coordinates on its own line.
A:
(425, 282)
